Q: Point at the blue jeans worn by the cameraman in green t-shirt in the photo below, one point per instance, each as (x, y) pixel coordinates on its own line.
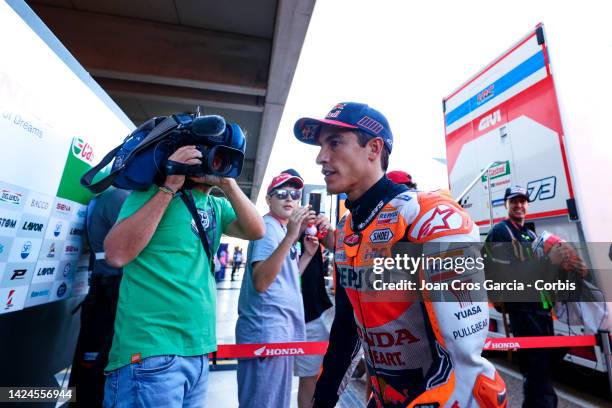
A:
(159, 381)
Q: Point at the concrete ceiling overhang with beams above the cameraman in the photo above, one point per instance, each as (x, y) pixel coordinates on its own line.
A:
(235, 58)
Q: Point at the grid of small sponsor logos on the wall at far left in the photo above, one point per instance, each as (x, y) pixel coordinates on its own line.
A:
(40, 247)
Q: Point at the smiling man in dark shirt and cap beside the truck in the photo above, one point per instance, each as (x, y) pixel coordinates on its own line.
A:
(508, 250)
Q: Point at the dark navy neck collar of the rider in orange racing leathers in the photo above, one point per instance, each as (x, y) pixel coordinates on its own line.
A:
(364, 209)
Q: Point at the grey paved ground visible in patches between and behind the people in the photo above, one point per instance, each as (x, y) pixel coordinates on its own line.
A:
(223, 386)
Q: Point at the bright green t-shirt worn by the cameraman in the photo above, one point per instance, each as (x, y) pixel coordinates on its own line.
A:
(167, 297)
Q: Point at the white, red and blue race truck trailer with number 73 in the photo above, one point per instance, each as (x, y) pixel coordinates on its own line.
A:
(506, 126)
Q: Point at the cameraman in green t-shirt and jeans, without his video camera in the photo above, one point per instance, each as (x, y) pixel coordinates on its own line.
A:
(165, 324)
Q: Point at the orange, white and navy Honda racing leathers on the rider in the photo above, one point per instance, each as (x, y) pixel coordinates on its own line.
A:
(419, 353)
